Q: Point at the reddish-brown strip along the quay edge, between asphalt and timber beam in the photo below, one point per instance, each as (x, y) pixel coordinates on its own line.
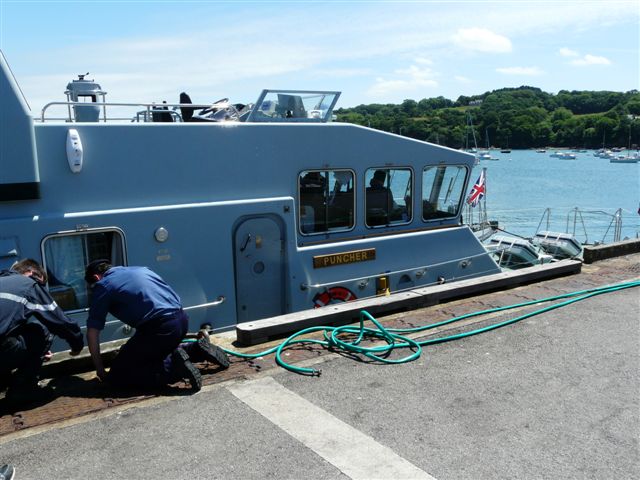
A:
(79, 395)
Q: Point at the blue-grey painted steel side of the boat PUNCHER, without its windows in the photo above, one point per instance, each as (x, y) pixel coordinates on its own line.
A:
(214, 188)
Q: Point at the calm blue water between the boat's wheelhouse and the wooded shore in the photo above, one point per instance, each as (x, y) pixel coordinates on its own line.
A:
(523, 183)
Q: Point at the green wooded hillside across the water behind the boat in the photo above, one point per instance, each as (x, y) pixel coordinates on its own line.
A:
(524, 117)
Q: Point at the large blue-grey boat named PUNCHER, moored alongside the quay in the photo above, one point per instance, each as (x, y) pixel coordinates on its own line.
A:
(248, 210)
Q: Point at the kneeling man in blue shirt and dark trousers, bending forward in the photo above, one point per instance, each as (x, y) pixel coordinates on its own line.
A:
(152, 357)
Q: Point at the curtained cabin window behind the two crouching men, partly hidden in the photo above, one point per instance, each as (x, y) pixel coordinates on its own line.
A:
(66, 256)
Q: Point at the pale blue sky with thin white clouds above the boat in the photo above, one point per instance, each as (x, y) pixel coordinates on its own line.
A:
(371, 51)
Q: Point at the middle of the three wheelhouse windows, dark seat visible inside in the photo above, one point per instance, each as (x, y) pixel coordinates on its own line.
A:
(389, 196)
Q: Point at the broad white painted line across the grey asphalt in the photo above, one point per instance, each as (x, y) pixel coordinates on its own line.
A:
(355, 454)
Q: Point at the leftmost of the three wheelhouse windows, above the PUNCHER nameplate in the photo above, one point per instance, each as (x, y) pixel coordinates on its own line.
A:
(326, 201)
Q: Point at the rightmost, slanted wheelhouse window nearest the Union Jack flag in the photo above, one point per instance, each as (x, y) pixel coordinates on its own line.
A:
(442, 190)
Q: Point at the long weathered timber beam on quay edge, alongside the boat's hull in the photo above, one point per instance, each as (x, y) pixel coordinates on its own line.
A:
(260, 331)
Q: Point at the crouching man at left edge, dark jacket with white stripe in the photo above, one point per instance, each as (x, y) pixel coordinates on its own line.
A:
(28, 320)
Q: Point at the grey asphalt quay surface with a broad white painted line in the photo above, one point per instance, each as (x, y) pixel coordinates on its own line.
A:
(554, 396)
